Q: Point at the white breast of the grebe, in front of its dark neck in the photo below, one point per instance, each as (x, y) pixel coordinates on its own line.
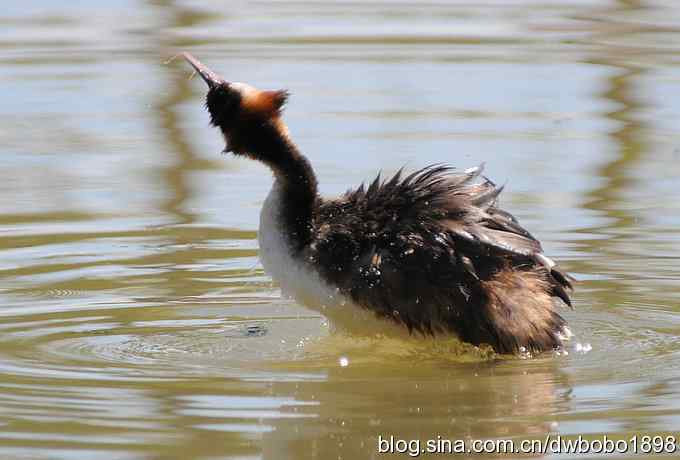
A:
(296, 279)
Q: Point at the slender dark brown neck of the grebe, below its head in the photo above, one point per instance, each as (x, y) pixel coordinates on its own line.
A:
(295, 185)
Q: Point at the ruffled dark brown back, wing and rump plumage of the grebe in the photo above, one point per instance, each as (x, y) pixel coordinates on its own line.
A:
(434, 251)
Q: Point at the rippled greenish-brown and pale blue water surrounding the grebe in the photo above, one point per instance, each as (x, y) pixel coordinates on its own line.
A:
(136, 322)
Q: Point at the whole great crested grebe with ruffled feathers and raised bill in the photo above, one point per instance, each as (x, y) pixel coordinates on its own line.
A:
(430, 250)
